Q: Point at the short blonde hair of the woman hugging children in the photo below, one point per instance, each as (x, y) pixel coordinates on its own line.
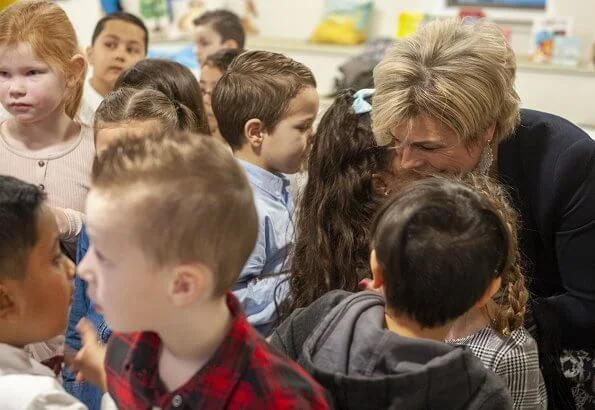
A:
(459, 74)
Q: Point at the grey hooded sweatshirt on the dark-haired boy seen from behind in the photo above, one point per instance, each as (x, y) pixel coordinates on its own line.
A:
(365, 366)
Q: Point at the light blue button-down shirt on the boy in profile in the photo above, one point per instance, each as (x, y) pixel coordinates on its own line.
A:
(262, 286)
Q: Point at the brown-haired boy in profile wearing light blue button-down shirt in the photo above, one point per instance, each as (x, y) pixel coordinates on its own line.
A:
(265, 105)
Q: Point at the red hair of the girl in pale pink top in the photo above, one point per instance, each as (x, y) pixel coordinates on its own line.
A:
(45, 27)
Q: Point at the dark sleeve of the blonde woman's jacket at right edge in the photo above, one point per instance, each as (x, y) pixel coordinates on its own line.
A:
(575, 248)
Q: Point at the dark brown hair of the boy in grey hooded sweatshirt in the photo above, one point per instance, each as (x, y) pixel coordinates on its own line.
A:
(439, 244)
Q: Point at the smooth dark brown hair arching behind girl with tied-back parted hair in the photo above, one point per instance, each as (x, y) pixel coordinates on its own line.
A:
(172, 79)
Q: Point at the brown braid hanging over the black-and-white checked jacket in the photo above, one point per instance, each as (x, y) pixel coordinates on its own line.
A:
(511, 299)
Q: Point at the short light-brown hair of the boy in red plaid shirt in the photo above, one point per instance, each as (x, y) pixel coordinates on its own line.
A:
(193, 201)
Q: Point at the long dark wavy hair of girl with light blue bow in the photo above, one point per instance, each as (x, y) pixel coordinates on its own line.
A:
(337, 205)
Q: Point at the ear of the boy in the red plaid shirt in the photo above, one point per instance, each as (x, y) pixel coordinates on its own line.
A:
(189, 283)
